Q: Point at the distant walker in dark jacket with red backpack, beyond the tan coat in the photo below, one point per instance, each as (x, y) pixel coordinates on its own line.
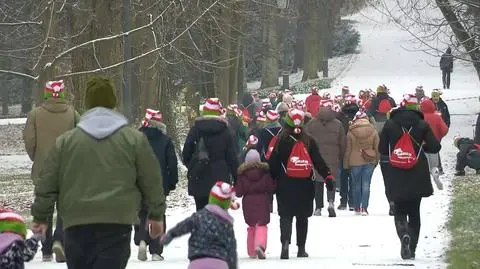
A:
(380, 106)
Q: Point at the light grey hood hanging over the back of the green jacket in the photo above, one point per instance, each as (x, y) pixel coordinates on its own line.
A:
(101, 122)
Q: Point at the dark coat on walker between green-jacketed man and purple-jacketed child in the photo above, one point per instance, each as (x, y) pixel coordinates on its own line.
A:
(223, 161)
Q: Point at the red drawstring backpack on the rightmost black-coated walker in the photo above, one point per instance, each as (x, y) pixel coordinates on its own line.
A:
(403, 155)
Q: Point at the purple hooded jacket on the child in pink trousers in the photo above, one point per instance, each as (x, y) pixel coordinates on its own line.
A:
(255, 185)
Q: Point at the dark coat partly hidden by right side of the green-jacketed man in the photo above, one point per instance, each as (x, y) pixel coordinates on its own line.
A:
(163, 147)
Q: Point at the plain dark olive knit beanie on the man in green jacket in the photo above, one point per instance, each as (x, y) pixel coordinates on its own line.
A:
(100, 93)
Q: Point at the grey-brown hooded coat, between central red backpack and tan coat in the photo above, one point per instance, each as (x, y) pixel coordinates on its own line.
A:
(330, 136)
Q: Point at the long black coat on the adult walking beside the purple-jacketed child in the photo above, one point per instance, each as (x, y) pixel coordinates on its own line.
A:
(295, 195)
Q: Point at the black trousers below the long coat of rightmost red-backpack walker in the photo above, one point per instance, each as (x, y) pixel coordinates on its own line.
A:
(407, 220)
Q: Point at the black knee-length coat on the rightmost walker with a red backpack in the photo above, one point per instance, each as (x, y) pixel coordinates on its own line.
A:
(413, 183)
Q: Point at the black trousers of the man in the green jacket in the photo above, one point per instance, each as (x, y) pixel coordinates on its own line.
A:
(98, 246)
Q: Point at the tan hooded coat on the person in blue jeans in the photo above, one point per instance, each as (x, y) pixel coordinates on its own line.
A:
(361, 135)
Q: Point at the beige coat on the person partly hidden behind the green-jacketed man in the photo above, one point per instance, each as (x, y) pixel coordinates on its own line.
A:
(44, 124)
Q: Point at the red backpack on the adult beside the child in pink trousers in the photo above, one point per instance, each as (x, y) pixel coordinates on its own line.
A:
(299, 163)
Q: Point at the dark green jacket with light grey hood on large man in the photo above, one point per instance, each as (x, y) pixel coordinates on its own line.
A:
(98, 172)
